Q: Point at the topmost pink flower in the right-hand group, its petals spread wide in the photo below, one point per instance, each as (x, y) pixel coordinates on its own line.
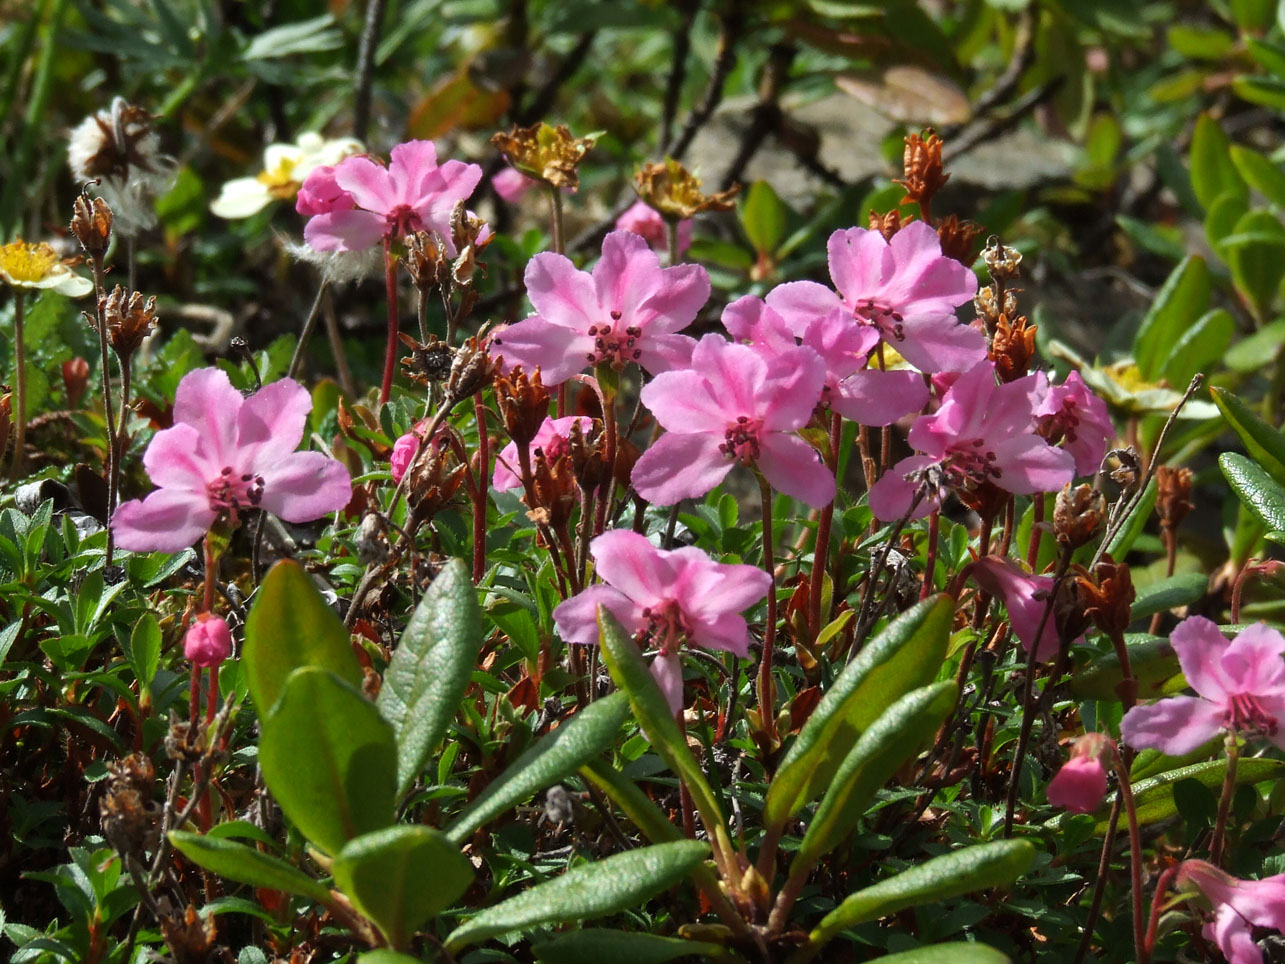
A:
(907, 291)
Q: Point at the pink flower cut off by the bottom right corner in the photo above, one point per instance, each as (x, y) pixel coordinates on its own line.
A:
(1239, 908)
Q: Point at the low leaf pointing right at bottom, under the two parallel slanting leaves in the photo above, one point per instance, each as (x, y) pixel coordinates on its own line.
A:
(963, 872)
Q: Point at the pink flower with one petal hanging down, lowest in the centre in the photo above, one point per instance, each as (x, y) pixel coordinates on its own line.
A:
(664, 598)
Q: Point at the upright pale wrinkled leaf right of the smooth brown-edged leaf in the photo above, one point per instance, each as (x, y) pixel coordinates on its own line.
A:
(431, 669)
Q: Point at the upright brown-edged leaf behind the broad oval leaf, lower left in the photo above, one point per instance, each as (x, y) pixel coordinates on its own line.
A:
(288, 628)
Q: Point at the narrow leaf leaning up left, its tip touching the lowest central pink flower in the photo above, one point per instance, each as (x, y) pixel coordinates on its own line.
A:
(632, 674)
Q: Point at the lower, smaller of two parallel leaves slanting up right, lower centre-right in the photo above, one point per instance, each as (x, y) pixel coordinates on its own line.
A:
(895, 737)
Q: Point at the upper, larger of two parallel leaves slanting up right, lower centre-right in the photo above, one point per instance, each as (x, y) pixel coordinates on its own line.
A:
(908, 655)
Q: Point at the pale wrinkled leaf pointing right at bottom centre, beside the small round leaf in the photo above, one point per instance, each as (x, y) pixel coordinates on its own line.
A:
(589, 891)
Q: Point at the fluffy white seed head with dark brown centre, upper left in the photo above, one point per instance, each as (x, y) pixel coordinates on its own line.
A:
(120, 150)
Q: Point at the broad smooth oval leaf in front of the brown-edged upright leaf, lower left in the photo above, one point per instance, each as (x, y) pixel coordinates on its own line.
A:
(330, 759)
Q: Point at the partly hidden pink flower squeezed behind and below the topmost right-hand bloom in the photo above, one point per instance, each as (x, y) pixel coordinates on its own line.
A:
(858, 393)
